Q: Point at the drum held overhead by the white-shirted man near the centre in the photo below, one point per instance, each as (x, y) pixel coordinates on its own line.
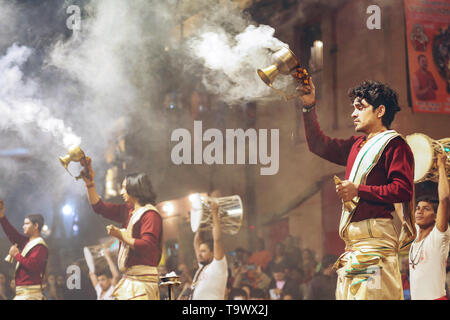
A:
(230, 213)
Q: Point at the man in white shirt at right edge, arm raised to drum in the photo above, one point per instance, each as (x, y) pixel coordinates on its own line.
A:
(428, 253)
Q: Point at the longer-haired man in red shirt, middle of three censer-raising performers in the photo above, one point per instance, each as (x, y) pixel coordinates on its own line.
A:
(140, 236)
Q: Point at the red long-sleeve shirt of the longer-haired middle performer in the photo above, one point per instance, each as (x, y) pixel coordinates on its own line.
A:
(147, 232)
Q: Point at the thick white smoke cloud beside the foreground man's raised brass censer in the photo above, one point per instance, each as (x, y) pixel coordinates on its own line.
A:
(231, 60)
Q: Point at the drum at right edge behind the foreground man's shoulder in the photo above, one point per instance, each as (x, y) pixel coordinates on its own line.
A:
(425, 152)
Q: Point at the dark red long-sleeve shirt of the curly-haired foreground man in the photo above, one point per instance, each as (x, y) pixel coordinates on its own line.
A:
(390, 181)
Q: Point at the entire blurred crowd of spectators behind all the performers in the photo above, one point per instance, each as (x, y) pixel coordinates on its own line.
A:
(288, 272)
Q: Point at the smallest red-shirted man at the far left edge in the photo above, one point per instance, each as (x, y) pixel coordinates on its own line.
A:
(30, 252)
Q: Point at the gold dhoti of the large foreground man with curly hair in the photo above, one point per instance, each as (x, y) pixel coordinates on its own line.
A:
(369, 267)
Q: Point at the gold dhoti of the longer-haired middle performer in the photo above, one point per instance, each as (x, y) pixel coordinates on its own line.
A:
(138, 283)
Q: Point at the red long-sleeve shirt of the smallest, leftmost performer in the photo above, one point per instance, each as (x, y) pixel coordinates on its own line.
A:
(32, 266)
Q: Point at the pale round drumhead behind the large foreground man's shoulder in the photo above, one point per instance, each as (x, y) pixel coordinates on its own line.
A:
(422, 150)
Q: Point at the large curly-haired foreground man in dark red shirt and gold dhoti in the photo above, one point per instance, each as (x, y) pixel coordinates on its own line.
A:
(379, 173)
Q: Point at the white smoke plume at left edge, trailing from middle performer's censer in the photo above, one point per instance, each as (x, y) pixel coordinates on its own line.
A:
(21, 105)
